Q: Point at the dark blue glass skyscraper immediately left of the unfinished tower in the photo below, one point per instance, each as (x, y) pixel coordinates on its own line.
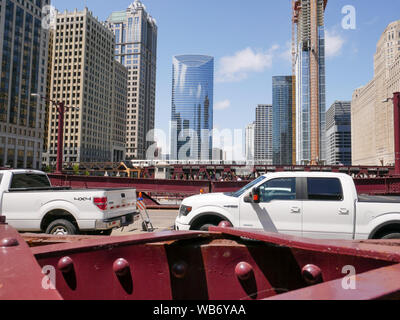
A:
(282, 95)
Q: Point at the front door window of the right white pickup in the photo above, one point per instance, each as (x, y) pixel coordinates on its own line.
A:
(278, 189)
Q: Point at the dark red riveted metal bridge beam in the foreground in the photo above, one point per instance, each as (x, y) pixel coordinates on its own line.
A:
(193, 265)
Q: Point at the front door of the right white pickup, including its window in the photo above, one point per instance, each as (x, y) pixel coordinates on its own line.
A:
(278, 210)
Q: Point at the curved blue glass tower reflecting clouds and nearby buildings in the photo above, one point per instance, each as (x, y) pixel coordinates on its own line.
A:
(192, 107)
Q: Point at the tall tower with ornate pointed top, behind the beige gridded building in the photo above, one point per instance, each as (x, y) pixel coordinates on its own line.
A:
(136, 48)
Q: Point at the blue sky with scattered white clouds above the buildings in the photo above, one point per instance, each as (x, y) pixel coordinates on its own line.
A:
(251, 42)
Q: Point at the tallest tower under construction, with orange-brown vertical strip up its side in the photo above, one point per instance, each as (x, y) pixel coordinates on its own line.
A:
(310, 80)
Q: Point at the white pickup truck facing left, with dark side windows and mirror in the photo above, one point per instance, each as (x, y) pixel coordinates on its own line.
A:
(311, 205)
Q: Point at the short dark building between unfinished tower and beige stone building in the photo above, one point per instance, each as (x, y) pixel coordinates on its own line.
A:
(338, 133)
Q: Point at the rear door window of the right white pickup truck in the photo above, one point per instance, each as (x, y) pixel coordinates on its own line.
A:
(324, 189)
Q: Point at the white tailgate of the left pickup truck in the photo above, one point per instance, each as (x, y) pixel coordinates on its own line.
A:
(120, 202)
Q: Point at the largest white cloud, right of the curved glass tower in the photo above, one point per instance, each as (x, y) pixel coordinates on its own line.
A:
(237, 67)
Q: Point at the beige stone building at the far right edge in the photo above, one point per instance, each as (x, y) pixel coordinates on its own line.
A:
(372, 119)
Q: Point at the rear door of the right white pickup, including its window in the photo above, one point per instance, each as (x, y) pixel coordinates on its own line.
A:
(328, 212)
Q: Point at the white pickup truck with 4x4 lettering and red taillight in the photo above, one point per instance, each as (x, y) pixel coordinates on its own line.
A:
(31, 204)
